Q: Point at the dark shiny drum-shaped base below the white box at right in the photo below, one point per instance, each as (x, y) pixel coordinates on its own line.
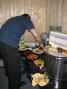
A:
(57, 69)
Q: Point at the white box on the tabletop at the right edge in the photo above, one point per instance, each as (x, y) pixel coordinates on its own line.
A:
(58, 40)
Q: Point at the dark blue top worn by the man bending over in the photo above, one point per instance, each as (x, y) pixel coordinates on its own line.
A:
(13, 29)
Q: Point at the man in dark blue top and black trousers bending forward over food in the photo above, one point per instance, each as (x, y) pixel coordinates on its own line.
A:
(10, 34)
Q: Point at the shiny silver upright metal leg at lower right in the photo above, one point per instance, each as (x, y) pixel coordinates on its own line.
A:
(59, 73)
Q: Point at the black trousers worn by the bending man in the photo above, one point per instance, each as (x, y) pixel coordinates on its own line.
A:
(11, 59)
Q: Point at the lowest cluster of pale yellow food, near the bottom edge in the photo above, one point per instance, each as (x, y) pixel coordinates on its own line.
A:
(39, 79)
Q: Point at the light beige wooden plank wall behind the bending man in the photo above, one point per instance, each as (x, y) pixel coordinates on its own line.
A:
(43, 12)
